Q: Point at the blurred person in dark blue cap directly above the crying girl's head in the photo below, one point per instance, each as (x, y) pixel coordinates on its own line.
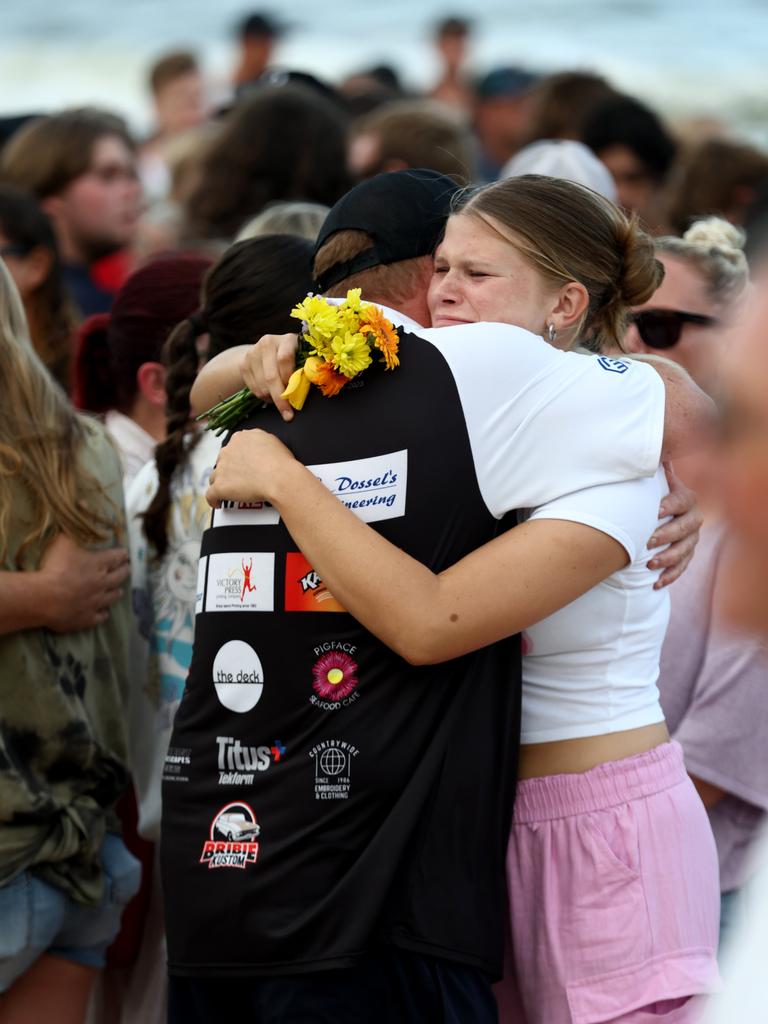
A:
(501, 108)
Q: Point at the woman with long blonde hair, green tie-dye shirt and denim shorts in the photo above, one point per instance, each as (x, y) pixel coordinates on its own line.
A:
(65, 873)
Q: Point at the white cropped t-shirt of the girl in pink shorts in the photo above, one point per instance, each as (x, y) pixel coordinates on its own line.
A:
(592, 667)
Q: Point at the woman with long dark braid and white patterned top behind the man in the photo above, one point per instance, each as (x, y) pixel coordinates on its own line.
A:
(249, 292)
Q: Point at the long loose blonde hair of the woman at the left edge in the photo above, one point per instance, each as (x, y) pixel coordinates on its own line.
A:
(40, 441)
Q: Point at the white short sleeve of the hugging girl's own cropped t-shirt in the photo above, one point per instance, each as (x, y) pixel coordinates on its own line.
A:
(627, 511)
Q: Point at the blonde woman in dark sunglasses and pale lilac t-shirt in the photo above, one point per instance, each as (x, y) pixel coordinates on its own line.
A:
(712, 681)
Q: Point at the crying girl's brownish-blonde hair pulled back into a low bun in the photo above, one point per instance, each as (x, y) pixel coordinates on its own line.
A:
(570, 233)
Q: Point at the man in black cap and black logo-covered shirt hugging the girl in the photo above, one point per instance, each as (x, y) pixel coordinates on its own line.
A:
(333, 847)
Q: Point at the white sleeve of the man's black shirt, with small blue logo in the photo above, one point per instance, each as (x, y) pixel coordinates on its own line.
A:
(544, 423)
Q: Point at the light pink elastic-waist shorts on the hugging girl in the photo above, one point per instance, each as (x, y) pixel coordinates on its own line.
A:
(615, 895)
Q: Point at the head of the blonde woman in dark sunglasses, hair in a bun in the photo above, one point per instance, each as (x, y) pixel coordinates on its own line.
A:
(686, 319)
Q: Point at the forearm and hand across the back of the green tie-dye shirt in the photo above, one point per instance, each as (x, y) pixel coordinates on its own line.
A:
(73, 590)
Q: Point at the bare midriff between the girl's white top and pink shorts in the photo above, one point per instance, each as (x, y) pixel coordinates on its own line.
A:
(571, 756)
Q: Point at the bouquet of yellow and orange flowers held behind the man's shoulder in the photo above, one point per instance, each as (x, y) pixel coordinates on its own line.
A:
(338, 343)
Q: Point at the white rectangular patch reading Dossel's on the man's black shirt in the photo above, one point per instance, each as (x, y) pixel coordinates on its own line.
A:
(373, 489)
